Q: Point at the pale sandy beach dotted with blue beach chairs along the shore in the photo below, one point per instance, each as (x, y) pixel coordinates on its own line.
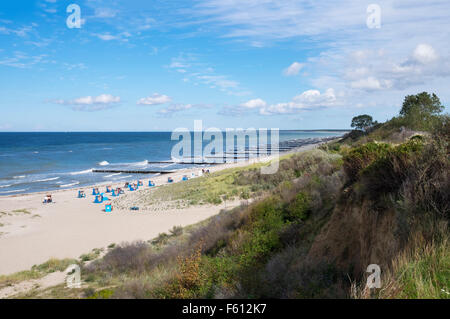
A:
(32, 232)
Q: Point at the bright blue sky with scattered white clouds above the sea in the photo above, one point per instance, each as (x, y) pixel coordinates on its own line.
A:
(158, 65)
